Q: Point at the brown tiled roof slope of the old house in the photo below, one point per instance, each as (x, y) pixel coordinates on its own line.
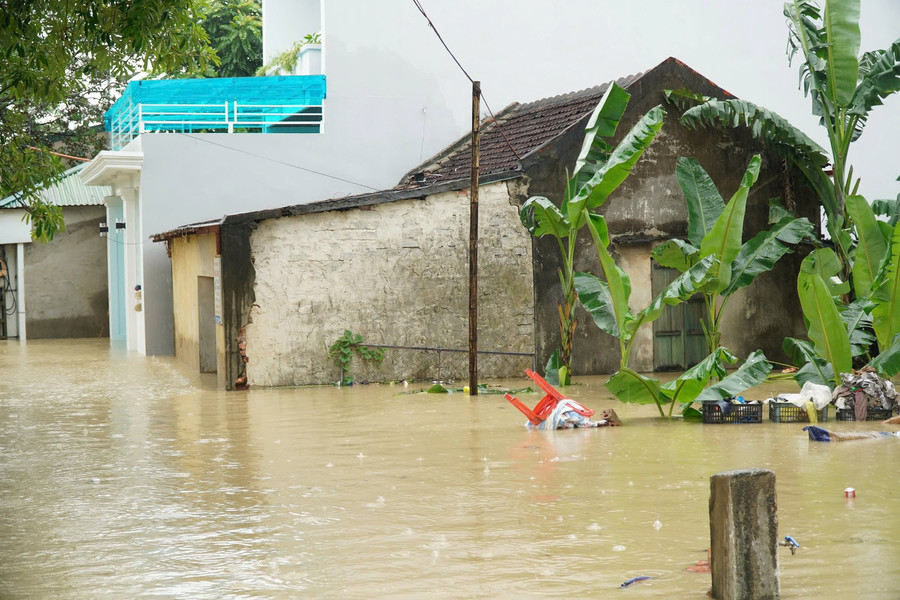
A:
(523, 127)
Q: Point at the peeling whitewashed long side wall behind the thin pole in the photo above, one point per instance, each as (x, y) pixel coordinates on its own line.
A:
(396, 273)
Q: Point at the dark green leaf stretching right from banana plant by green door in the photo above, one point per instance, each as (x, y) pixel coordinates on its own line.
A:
(762, 252)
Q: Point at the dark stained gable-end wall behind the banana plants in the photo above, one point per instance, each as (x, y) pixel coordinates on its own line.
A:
(649, 207)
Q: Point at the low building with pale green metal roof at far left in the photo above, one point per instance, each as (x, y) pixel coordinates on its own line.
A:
(58, 289)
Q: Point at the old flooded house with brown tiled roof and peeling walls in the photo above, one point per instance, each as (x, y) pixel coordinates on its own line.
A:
(263, 294)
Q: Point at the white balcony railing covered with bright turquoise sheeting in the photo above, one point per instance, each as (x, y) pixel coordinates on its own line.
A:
(279, 104)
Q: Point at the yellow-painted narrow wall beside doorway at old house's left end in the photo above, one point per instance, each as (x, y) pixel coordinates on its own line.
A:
(192, 257)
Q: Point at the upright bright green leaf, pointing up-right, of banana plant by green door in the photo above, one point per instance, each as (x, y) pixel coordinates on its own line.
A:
(724, 238)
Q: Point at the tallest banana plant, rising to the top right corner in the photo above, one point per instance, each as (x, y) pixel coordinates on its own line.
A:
(844, 88)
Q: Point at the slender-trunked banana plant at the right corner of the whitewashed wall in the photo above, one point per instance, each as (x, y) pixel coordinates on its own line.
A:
(599, 170)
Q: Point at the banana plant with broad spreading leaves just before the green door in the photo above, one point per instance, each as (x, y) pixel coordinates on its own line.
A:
(716, 229)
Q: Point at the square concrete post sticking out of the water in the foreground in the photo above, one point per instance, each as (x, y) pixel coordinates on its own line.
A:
(743, 527)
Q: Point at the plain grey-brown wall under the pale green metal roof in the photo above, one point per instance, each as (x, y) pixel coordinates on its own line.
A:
(66, 284)
